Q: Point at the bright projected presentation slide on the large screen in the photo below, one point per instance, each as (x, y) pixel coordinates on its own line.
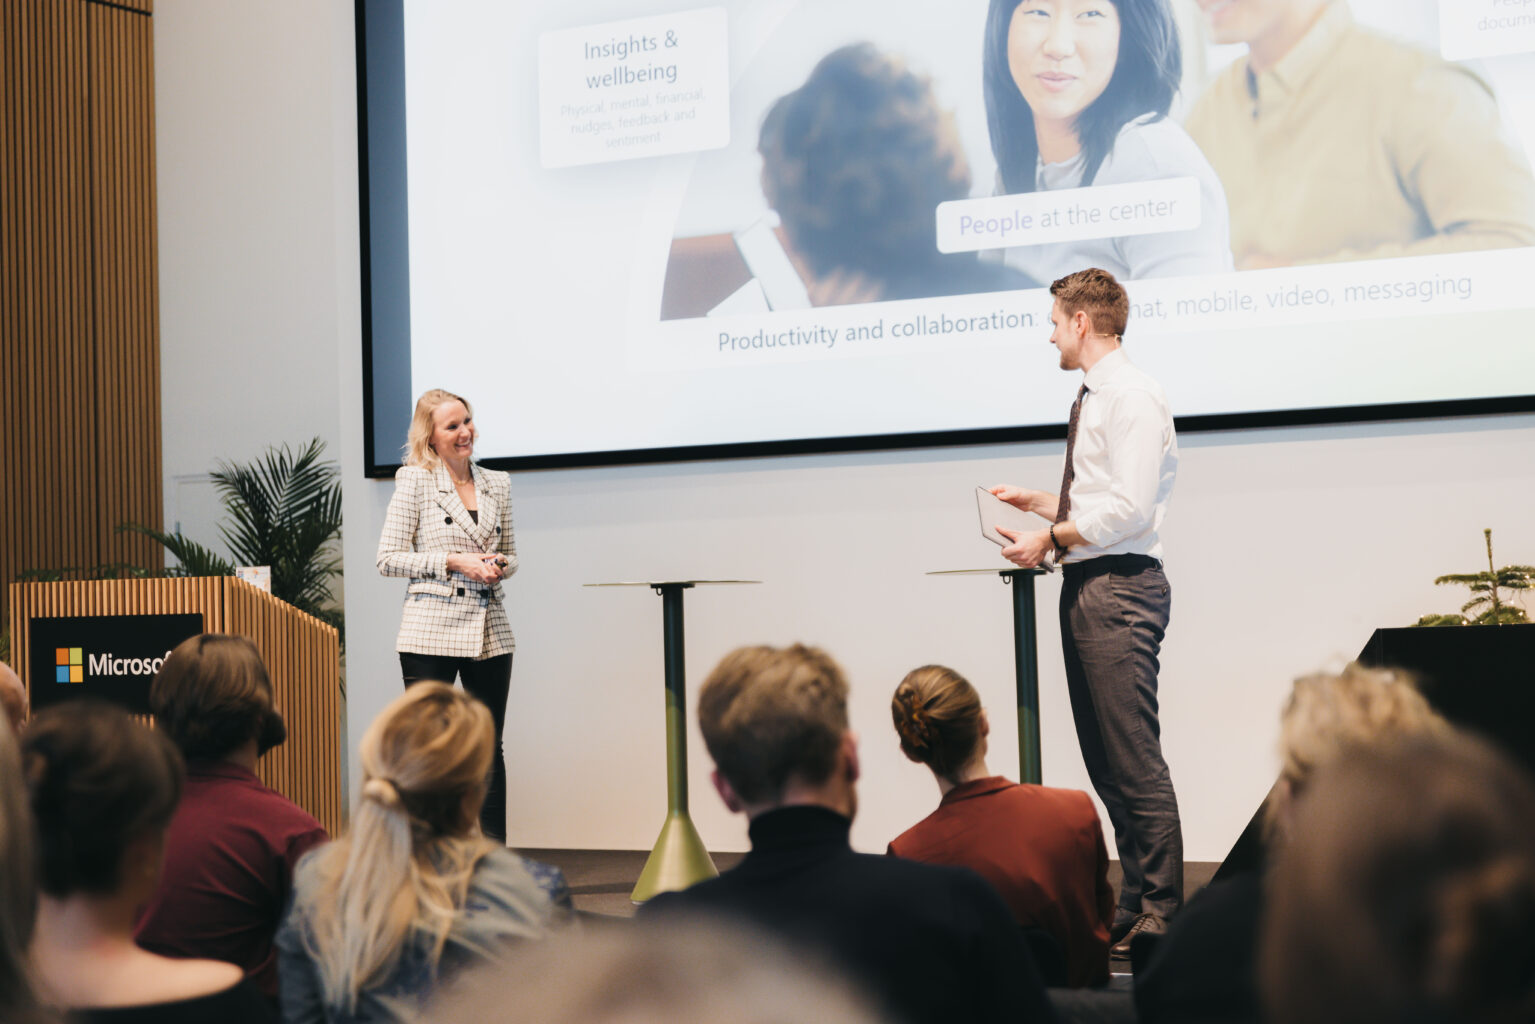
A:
(658, 226)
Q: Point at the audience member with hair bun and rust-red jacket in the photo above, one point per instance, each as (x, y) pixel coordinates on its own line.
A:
(1041, 848)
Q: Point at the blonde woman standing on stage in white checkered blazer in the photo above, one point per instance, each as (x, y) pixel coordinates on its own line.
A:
(449, 529)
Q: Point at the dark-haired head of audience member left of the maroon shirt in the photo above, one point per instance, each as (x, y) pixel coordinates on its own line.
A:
(97, 782)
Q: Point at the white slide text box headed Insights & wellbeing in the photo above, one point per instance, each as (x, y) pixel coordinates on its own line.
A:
(636, 88)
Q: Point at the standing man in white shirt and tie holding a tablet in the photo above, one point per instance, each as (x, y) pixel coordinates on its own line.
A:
(1115, 601)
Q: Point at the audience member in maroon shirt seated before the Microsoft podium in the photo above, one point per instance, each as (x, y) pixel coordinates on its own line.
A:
(234, 842)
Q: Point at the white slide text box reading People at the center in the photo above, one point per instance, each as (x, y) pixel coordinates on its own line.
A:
(1029, 219)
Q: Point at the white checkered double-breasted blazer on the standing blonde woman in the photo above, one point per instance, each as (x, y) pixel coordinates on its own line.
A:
(447, 613)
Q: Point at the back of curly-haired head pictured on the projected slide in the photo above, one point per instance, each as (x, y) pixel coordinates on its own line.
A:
(856, 162)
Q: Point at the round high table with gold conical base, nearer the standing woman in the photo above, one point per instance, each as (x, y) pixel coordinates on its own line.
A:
(679, 859)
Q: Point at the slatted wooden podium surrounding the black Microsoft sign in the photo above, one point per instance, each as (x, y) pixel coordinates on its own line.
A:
(303, 656)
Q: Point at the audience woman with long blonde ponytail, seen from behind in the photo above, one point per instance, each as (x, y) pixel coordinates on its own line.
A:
(414, 893)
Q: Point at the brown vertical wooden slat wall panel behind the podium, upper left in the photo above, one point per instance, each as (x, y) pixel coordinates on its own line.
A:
(79, 303)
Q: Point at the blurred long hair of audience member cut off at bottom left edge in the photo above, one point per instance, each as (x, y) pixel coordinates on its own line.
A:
(18, 887)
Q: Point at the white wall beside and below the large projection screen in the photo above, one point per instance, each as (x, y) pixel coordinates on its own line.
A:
(1286, 547)
